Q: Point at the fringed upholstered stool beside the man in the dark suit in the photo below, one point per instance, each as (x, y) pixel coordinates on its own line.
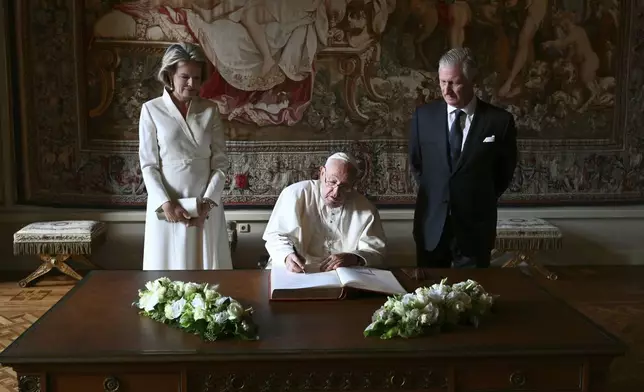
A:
(523, 238)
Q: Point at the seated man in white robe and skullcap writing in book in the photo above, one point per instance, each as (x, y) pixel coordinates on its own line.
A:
(325, 222)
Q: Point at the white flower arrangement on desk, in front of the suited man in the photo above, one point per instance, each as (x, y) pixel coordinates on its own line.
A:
(431, 309)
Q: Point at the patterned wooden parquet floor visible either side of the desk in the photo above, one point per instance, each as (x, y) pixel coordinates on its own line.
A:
(612, 296)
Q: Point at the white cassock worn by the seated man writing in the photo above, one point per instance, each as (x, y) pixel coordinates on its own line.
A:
(300, 220)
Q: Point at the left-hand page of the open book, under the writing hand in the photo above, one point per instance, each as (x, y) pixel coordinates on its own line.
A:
(283, 279)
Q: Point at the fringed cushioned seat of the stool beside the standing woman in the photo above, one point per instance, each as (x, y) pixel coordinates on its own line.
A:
(59, 237)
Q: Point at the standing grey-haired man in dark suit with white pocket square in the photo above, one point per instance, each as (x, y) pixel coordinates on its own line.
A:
(462, 152)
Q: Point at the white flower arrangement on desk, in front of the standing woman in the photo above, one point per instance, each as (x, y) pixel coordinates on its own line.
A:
(196, 308)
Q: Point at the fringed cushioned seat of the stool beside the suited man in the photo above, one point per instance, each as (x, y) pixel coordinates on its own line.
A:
(527, 234)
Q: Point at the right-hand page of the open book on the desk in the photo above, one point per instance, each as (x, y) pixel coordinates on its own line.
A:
(371, 279)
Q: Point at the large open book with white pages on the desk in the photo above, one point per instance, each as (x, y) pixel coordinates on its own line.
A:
(313, 284)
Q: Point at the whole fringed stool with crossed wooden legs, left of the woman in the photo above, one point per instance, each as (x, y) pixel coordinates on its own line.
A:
(56, 242)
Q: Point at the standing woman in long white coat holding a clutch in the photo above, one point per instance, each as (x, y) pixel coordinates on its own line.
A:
(182, 151)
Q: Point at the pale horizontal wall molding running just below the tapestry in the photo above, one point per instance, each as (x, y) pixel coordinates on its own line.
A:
(26, 214)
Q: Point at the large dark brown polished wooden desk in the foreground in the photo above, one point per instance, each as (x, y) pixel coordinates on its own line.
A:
(94, 340)
